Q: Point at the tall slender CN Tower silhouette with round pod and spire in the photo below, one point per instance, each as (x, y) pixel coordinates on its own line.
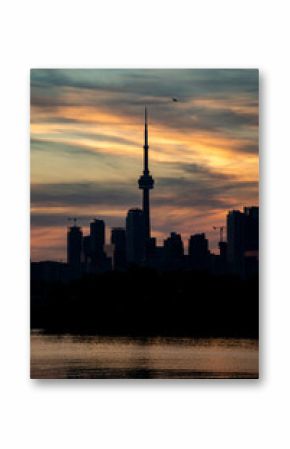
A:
(146, 182)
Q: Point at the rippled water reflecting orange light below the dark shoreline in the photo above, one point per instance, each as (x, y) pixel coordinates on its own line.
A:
(67, 356)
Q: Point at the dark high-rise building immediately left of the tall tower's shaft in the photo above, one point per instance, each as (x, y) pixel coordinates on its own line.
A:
(135, 236)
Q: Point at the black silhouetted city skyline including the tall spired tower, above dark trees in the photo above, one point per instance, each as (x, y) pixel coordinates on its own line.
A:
(135, 246)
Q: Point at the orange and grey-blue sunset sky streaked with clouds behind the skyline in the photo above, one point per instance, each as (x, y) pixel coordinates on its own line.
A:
(87, 131)
